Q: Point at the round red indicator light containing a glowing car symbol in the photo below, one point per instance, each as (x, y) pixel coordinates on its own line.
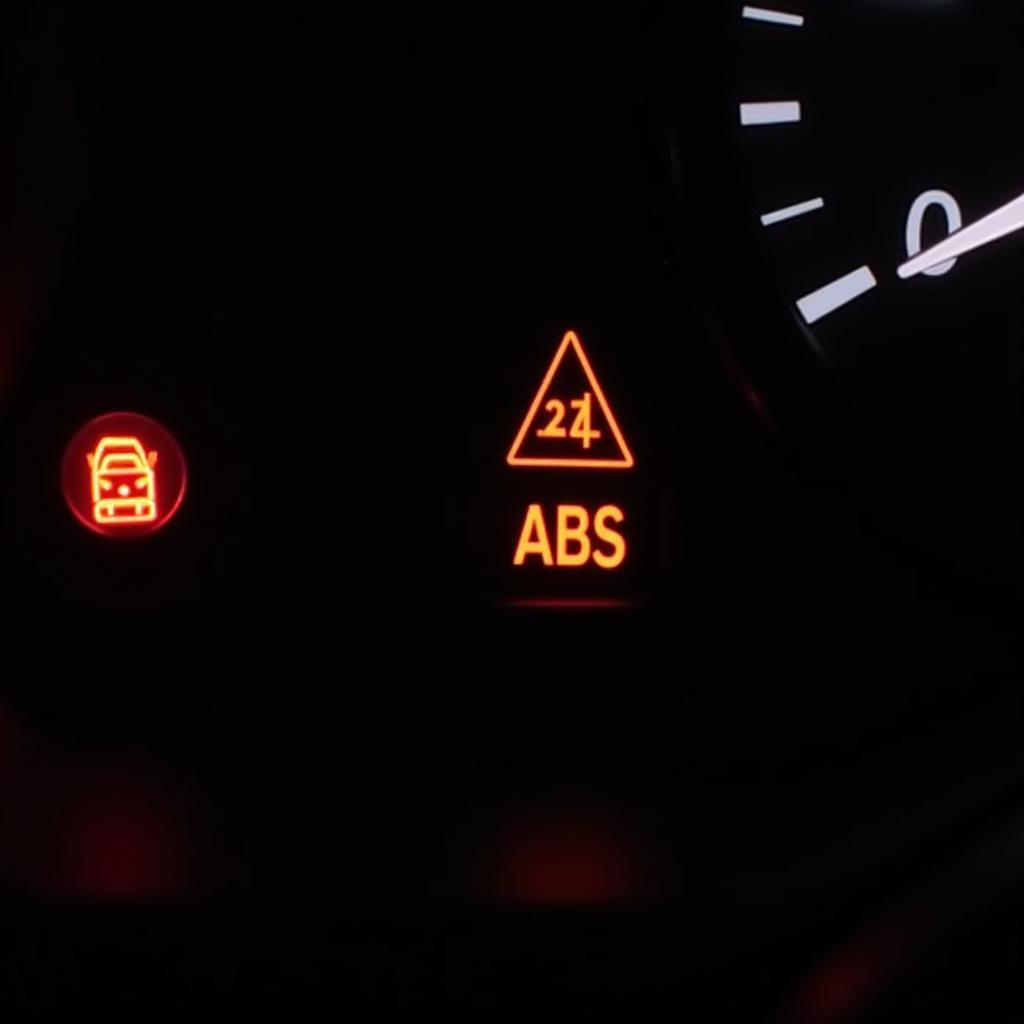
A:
(123, 476)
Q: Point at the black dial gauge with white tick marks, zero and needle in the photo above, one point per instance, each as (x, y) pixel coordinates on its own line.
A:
(864, 135)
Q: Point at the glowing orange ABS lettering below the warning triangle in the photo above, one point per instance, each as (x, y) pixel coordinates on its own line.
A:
(573, 547)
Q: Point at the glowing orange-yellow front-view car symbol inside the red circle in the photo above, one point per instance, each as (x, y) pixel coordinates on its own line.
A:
(124, 486)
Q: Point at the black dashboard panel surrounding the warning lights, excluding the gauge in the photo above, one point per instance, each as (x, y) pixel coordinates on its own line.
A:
(334, 255)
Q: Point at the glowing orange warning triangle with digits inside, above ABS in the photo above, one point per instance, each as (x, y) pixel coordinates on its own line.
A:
(570, 423)
